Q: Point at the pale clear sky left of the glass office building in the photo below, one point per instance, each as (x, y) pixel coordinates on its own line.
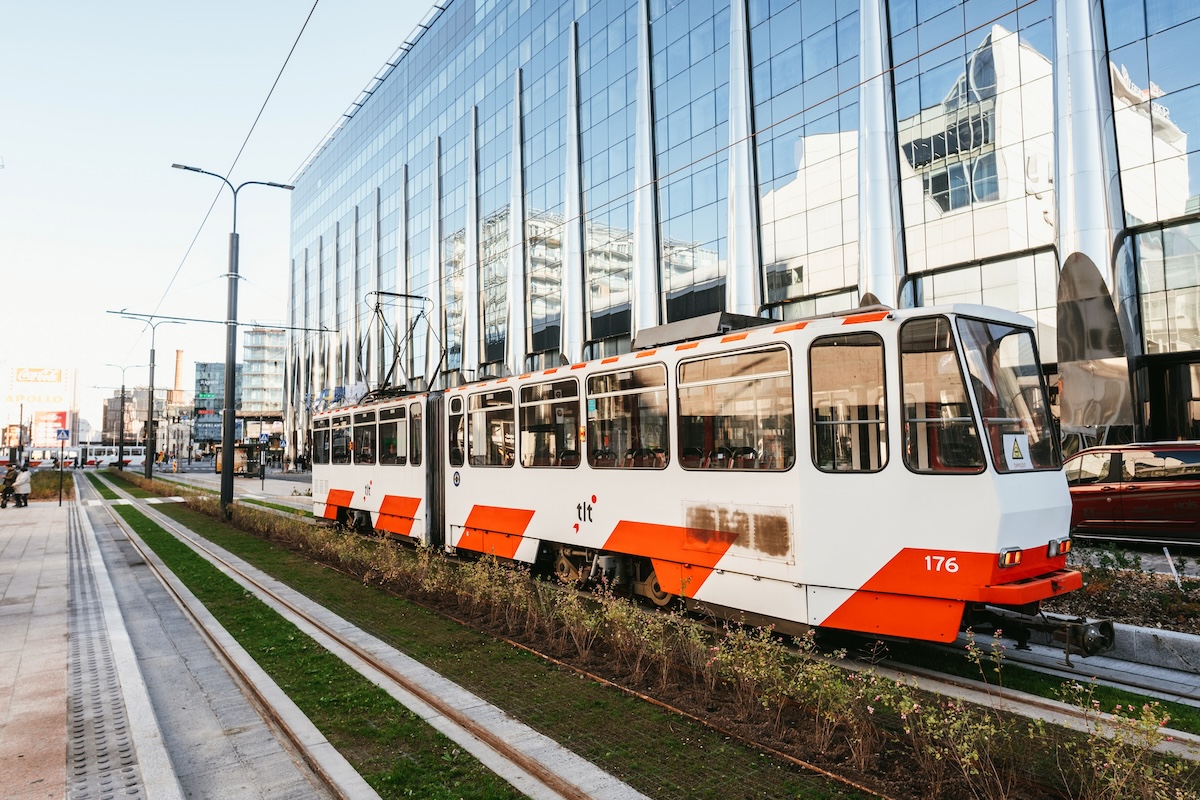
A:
(97, 103)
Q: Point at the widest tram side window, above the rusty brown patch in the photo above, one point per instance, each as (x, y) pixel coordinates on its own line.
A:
(736, 412)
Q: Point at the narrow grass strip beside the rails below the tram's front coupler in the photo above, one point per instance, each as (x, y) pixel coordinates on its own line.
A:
(1031, 682)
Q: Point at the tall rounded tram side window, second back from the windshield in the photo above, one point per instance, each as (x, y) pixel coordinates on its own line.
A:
(849, 404)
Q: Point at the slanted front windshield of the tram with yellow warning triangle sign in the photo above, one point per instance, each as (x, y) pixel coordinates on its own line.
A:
(1011, 394)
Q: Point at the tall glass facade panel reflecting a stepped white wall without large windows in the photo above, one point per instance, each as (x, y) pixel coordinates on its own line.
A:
(808, 147)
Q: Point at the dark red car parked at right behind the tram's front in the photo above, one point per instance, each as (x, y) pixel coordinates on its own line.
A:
(1137, 492)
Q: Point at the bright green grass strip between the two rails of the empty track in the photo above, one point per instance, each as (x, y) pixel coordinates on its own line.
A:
(394, 750)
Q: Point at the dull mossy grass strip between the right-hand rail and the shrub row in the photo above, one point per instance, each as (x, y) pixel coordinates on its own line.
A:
(659, 754)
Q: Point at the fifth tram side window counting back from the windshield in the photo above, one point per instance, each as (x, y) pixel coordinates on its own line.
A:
(550, 412)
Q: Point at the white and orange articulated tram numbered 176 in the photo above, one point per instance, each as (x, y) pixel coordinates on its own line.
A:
(892, 473)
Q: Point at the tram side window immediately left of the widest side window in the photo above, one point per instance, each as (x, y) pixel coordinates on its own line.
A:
(628, 419)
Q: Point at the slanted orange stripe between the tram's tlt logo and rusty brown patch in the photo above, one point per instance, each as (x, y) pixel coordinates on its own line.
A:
(683, 557)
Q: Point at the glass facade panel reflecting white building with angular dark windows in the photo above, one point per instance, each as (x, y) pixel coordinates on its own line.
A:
(976, 128)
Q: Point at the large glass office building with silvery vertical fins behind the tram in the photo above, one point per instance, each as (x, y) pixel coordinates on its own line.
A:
(529, 183)
